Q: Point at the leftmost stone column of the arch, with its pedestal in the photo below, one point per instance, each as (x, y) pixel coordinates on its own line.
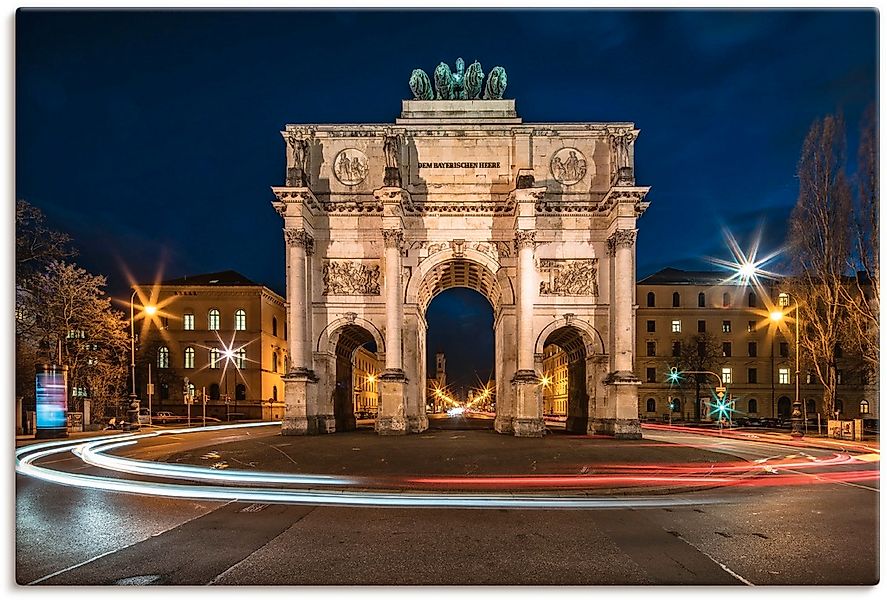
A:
(296, 383)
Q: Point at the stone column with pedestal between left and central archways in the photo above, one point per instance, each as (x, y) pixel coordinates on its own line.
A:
(391, 419)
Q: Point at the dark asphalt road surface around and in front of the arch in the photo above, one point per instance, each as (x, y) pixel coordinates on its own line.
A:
(816, 534)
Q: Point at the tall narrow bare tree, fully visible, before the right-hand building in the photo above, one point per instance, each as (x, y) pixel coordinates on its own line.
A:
(820, 242)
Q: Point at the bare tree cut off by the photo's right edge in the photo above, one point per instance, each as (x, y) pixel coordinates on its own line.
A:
(862, 294)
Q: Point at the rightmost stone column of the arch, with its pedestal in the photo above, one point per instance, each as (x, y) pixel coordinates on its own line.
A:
(623, 384)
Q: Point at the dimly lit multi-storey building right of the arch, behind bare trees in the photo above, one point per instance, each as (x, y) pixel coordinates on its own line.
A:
(753, 356)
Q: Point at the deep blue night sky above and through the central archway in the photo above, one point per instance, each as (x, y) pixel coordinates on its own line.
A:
(152, 138)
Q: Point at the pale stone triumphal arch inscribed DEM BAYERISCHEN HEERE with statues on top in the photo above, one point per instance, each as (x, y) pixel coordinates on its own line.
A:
(540, 218)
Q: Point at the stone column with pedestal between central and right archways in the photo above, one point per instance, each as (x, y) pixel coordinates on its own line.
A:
(528, 402)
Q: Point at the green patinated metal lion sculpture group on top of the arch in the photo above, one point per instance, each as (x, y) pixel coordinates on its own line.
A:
(461, 84)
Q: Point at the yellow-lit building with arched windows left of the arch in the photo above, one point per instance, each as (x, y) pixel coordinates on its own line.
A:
(225, 335)
